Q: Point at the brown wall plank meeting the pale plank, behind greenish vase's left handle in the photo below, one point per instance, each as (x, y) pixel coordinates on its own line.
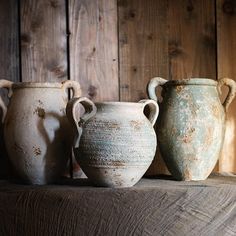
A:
(143, 45)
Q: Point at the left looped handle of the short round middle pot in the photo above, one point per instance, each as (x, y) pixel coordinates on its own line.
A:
(73, 112)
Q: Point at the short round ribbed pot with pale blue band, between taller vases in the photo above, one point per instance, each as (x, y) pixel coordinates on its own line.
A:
(118, 144)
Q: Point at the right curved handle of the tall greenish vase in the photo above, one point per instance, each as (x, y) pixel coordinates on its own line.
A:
(232, 90)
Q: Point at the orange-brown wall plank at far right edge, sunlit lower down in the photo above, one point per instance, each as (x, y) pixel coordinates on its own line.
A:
(226, 37)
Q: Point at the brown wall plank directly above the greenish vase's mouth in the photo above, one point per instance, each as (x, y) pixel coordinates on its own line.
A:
(192, 44)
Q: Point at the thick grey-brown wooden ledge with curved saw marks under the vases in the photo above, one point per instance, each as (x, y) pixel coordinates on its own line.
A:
(152, 207)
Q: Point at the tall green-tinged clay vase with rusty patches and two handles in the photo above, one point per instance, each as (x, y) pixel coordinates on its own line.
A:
(191, 124)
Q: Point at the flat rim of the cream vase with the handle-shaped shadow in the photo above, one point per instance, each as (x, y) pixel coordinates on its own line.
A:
(37, 85)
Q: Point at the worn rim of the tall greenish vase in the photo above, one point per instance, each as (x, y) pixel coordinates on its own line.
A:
(192, 81)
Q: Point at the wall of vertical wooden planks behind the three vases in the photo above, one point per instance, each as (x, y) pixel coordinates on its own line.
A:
(113, 48)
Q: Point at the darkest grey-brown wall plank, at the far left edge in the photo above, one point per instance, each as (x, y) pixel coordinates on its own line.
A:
(9, 58)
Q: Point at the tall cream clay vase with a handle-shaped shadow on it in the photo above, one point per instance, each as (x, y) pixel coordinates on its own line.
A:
(37, 133)
